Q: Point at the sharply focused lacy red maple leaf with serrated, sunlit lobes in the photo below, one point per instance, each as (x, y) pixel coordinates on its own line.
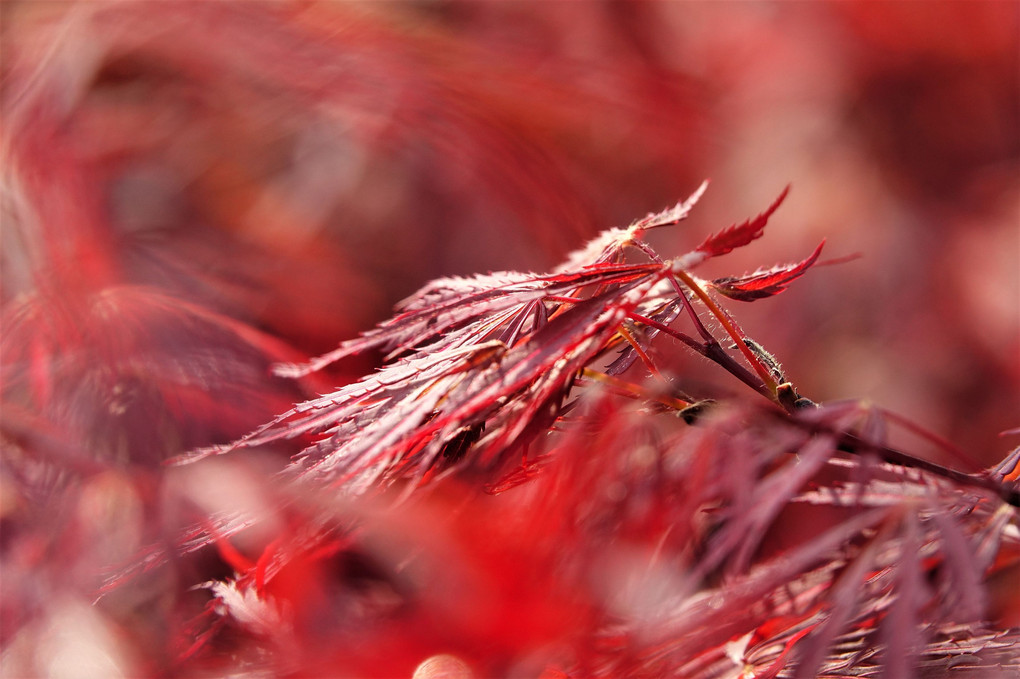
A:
(488, 362)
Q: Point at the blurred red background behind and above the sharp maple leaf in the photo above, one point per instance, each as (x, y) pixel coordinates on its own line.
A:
(194, 191)
